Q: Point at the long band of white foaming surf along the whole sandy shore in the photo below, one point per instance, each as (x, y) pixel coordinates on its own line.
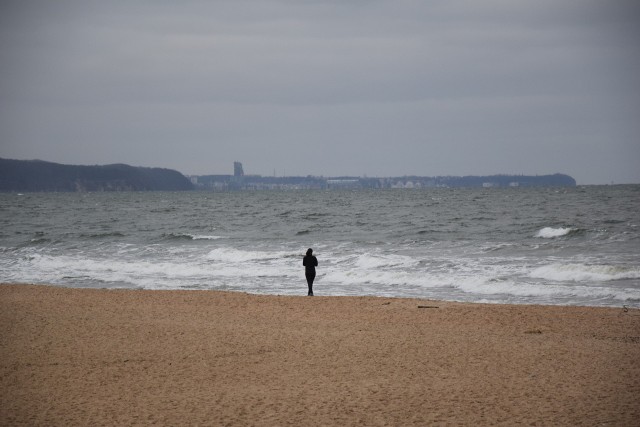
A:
(439, 276)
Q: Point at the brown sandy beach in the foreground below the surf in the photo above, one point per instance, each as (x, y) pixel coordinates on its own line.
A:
(125, 357)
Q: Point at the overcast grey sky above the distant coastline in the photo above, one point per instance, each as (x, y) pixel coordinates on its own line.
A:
(326, 87)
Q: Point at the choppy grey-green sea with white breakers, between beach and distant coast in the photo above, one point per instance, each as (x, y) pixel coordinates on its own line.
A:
(558, 246)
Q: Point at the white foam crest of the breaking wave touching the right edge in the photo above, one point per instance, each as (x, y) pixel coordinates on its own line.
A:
(585, 273)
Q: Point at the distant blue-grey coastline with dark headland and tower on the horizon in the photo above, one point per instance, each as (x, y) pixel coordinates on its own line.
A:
(41, 176)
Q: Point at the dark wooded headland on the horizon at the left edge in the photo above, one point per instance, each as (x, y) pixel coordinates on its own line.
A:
(37, 175)
